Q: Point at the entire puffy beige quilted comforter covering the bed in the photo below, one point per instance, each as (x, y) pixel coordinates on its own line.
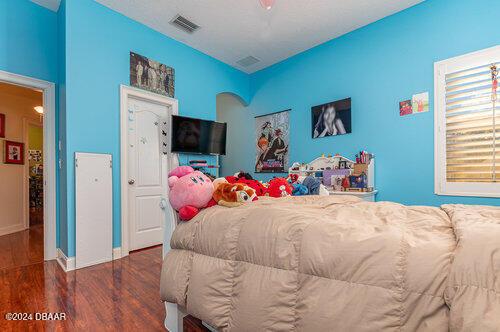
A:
(336, 264)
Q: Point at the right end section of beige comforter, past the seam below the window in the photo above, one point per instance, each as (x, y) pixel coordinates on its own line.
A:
(473, 290)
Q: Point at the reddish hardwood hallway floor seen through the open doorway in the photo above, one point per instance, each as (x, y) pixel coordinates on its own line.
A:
(21, 248)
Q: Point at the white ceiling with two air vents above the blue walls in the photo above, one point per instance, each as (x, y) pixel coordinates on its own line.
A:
(234, 29)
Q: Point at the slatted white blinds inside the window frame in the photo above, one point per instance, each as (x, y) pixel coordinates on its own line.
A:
(472, 125)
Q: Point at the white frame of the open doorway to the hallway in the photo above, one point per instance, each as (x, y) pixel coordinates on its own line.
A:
(49, 152)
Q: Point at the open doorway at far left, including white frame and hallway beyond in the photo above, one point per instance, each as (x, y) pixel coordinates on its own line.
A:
(27, 103)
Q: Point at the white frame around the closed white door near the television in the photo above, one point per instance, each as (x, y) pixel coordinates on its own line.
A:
(125, 93)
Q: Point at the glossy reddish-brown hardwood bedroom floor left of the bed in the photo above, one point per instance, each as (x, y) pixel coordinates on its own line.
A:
(122, 295)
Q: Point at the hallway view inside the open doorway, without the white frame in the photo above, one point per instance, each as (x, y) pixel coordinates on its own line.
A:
(21, 170)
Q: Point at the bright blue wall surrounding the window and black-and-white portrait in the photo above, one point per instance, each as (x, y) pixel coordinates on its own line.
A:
(378, 66)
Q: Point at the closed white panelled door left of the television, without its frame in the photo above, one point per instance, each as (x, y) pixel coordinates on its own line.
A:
(147, 168)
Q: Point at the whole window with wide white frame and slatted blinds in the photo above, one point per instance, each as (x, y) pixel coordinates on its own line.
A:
(467, 125)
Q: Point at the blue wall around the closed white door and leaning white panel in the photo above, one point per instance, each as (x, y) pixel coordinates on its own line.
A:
(98, 42)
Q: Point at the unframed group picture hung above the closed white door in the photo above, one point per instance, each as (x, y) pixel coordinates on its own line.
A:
(151, 75)
